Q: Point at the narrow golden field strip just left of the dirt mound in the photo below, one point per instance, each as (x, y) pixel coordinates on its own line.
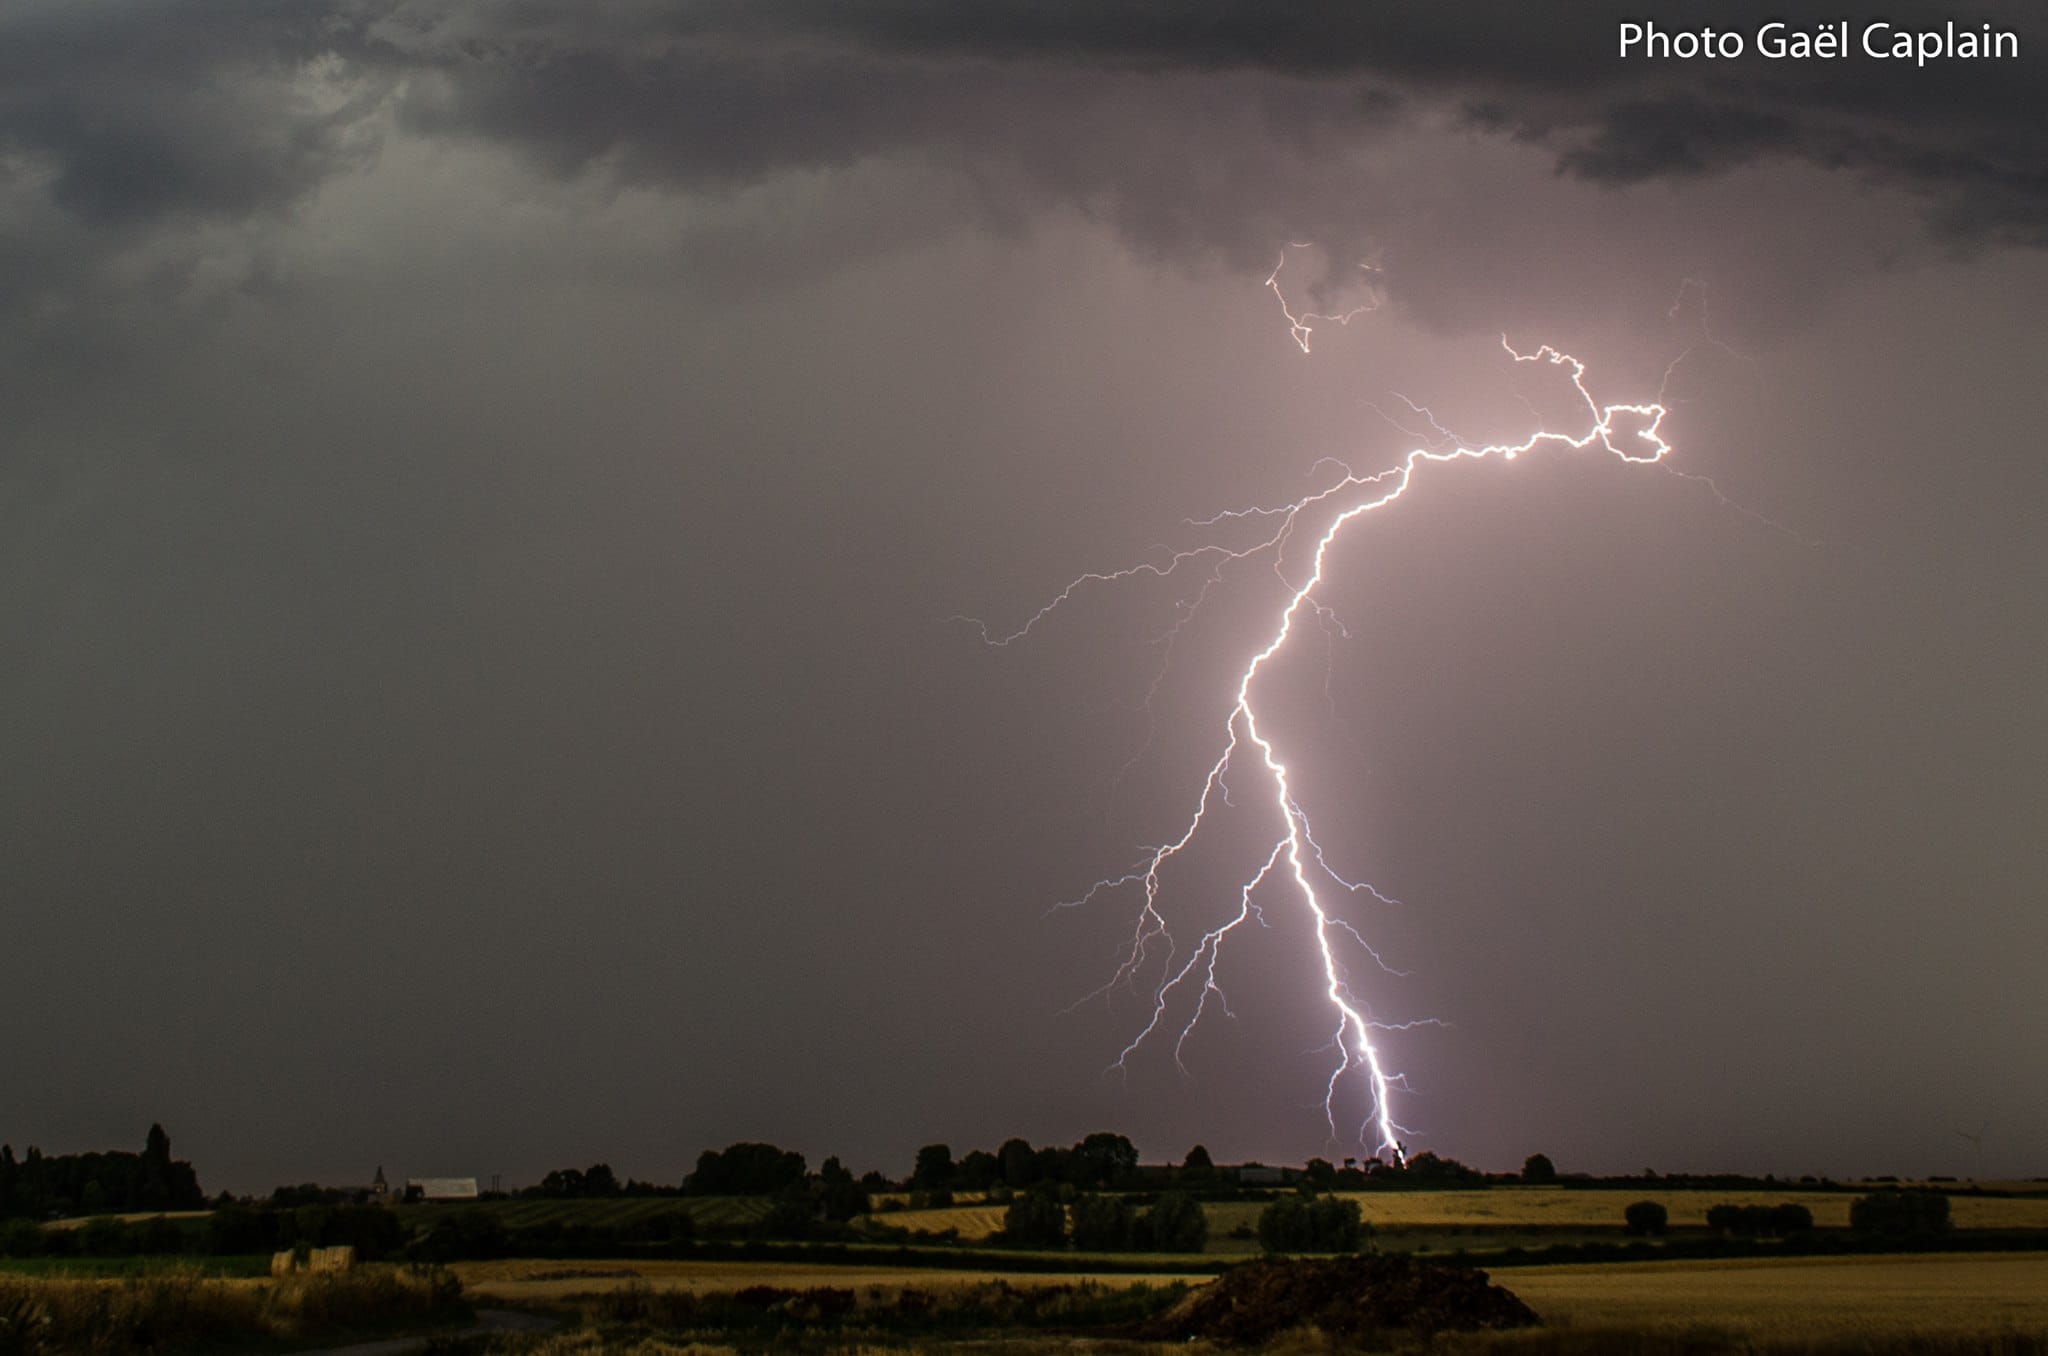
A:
(552, 1281)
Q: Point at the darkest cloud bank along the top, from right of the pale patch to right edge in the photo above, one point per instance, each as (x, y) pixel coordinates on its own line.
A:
(730, 93)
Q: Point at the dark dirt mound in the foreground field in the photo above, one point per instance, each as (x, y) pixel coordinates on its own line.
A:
(1347, 1298)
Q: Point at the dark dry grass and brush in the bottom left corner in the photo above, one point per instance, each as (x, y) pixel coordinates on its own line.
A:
(187, 1310)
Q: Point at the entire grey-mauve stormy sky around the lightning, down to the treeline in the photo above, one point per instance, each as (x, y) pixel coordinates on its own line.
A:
(484, 489)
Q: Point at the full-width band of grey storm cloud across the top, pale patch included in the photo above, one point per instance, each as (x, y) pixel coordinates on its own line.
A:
(1193, 128)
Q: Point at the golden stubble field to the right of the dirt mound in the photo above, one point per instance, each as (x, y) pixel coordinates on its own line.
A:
(1799, 1300)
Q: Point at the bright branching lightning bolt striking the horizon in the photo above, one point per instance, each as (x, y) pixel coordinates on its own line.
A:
(1295, 861)
